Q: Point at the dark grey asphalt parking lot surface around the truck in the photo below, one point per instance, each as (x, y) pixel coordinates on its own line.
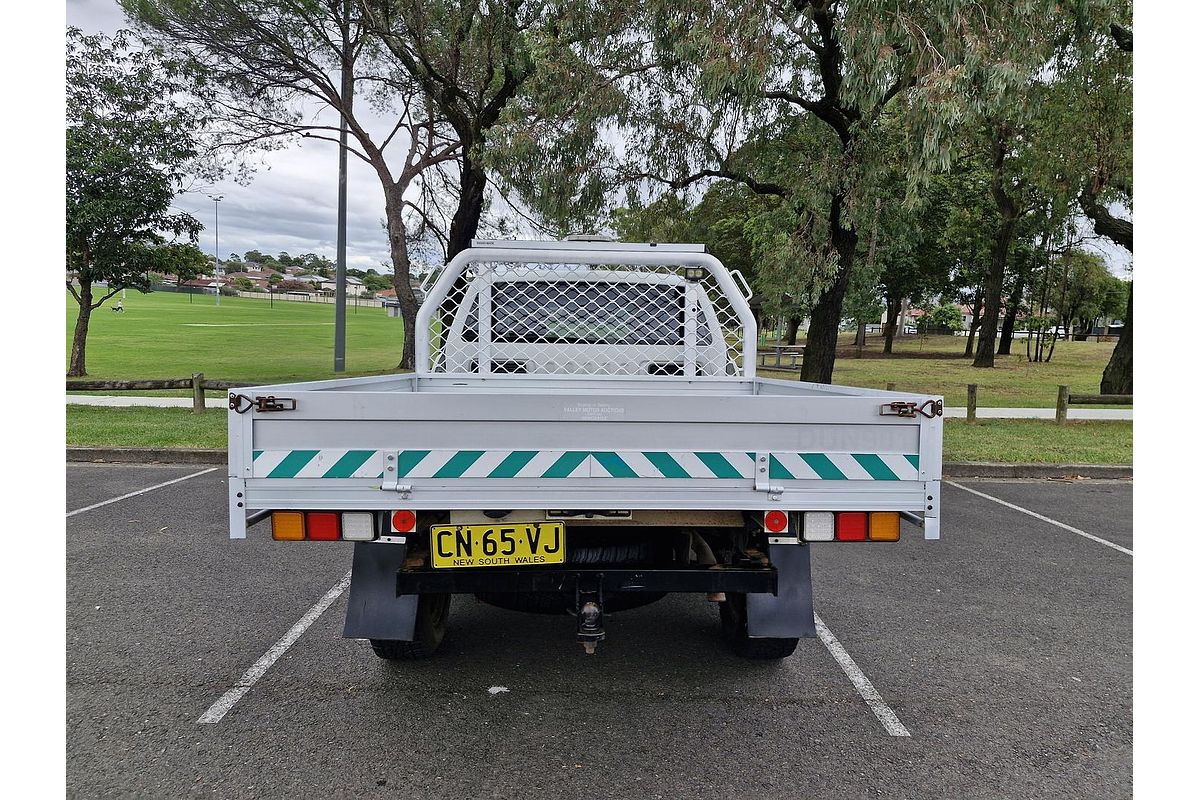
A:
(1005, 651)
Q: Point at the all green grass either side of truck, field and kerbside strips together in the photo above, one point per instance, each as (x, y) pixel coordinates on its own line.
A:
(167, 335)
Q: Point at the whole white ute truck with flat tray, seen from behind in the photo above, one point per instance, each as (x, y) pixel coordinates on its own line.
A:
(584, 434)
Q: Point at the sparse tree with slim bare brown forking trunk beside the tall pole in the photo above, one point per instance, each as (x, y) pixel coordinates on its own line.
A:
(273, 67)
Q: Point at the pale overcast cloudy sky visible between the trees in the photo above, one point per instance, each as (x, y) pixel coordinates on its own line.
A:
(292, 202)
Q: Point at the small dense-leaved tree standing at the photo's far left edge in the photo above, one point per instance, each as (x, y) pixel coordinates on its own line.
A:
(131, 146)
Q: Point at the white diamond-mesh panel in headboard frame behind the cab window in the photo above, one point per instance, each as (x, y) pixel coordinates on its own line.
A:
(586, 320)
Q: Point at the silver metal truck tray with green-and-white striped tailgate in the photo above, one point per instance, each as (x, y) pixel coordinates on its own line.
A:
(623, 443)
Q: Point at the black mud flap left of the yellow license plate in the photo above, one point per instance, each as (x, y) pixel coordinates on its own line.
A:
(374, 611)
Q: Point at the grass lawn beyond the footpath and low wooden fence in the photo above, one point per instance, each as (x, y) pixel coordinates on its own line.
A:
(169, 335)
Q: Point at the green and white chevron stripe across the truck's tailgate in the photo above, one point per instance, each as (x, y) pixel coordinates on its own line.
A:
(585, 465)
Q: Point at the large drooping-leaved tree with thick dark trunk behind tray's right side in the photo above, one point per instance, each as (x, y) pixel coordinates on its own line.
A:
(808, 83)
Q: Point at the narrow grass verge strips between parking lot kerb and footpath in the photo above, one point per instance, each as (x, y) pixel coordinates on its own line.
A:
(994, 441)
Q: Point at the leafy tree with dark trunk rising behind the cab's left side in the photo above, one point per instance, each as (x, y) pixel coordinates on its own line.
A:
(505, 73)
